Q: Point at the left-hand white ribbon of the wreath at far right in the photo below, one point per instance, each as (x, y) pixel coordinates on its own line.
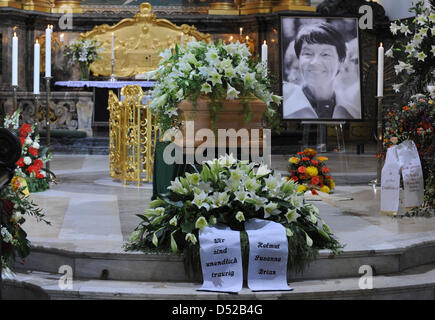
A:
(390, 183)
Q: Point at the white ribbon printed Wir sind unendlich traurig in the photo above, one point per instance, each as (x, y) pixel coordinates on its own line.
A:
(221, 259)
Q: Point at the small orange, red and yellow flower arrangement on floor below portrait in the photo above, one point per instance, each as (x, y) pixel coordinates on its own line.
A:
(310, 173)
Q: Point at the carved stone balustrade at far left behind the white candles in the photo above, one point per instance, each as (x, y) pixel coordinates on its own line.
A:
(68, 110)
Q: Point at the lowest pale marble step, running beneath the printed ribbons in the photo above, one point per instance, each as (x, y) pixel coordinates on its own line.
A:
(413, 283)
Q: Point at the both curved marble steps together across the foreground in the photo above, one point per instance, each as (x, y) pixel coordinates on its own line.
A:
(406, 272)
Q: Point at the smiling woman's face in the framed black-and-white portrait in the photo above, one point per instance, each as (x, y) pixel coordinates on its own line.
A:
(318, 63)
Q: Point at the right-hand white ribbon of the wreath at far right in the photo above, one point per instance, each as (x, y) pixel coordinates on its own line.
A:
(412, 173)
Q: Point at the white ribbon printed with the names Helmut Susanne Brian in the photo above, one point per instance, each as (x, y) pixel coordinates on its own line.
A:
(268, 253)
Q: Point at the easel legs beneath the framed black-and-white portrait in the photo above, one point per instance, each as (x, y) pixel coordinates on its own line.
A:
(321, 134)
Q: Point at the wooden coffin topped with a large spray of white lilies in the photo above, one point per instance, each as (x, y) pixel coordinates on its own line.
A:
(206, 80)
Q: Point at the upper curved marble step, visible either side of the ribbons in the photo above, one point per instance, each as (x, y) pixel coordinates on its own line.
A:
(136, 266)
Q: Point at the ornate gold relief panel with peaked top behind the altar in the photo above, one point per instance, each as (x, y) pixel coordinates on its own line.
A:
(137, 42)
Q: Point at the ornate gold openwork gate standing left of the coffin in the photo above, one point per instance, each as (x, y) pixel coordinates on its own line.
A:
(133, 136)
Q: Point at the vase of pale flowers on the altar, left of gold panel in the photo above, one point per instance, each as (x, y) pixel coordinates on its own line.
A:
(85, 52)
